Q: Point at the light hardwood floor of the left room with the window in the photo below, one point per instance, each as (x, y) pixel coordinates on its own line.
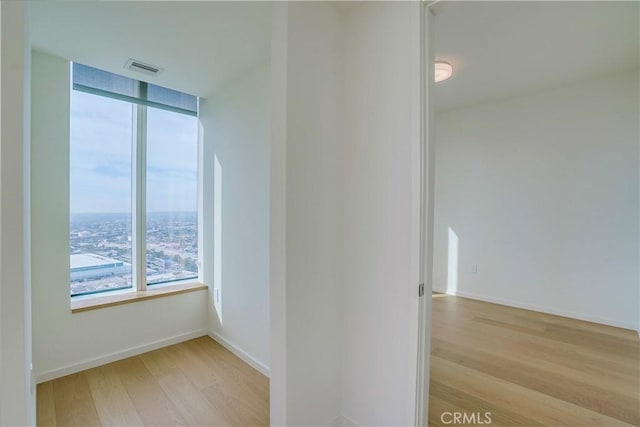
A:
(194, 383)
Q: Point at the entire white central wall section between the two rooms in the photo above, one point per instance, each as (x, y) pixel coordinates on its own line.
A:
(344, 229)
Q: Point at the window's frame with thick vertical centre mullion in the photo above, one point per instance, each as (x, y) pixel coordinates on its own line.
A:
(139, 197)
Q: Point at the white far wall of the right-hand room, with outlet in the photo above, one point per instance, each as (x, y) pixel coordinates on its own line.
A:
(542, 192)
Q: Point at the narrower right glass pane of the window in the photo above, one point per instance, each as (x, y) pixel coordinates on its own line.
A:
(172, 232)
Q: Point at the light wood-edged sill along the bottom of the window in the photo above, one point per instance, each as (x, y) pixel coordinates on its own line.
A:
(103, 301)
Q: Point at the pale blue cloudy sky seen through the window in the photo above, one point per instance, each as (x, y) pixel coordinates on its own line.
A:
(100, 155)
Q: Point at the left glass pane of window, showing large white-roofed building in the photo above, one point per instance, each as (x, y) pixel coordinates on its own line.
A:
(100, 194)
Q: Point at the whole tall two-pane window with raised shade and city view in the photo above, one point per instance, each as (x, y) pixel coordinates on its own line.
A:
(133, 184)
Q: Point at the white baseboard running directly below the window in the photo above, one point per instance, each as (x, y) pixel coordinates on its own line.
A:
(118, 355)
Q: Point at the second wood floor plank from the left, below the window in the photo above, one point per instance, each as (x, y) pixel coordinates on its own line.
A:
(73, 402)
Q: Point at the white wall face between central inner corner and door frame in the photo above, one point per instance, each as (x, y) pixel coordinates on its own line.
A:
(381, 225)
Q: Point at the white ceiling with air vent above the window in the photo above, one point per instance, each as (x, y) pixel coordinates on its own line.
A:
(199, 45)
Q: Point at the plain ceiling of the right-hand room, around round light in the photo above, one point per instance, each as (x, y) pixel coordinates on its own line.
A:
(503, 49)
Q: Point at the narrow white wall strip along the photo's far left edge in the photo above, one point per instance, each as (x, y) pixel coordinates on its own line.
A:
(17, 399)
